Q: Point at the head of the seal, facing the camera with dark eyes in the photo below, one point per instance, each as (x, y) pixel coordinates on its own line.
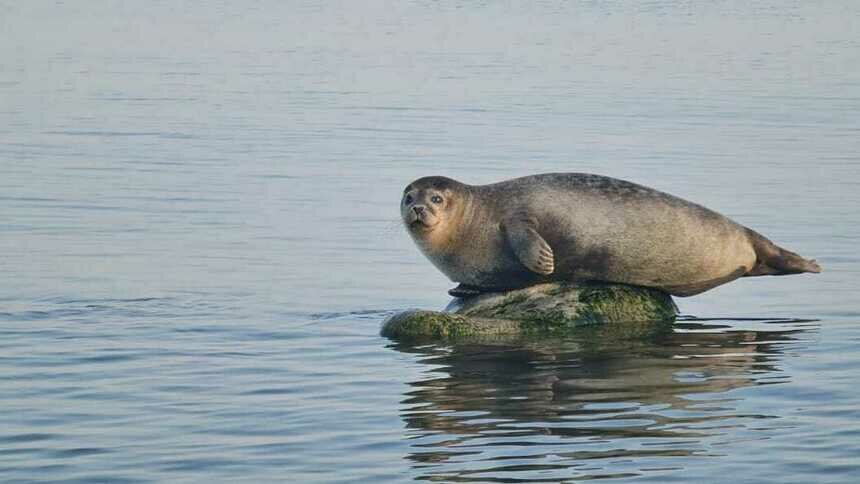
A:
(430, 206)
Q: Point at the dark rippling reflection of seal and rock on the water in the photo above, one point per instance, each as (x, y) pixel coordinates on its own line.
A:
(598, 404)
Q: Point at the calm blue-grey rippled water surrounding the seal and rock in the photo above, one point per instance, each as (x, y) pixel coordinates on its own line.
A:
(199, 239)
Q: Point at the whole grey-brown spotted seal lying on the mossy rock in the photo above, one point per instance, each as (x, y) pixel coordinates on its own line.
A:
(573, 227)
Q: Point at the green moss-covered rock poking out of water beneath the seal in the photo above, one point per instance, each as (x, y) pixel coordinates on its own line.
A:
(542, 309)
